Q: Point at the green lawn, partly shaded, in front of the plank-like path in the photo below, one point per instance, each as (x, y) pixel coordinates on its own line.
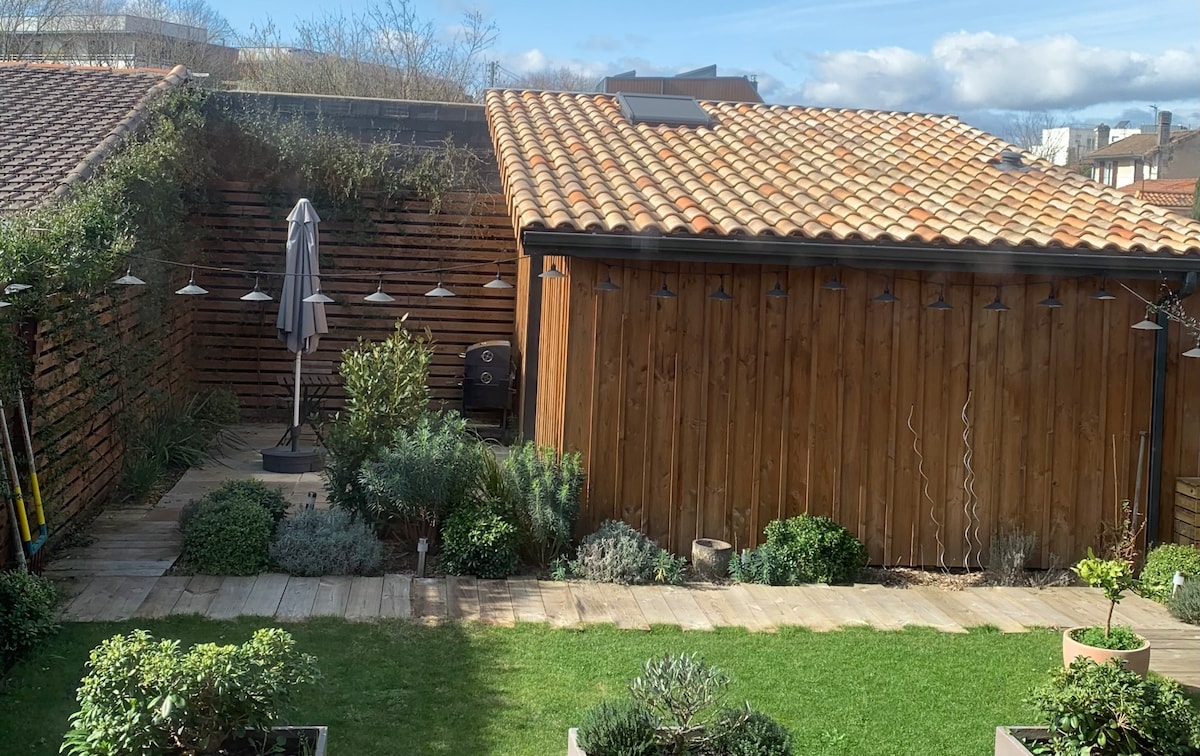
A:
(400, 688)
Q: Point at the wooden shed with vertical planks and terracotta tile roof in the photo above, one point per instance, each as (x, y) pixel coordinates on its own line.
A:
(889, 319)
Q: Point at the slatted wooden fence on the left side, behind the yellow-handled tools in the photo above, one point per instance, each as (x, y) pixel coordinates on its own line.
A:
(76, 403)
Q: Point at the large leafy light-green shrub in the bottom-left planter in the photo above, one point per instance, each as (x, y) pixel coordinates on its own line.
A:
(151, 698)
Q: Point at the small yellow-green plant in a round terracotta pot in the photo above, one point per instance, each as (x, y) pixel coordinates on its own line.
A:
(1114, 578)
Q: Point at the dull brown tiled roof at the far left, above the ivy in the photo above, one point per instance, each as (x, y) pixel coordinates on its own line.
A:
(59, 123)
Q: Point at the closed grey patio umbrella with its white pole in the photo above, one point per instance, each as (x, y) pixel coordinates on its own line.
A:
(301, 323)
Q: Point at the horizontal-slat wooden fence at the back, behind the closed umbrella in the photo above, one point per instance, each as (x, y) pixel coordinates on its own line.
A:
(248, 232)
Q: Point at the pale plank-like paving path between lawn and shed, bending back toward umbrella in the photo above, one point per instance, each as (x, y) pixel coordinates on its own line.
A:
(123, 575)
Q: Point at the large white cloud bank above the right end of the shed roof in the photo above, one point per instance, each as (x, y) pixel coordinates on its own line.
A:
(970, 71)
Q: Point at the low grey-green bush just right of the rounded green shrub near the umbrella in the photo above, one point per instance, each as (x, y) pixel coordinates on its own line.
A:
(326, 542)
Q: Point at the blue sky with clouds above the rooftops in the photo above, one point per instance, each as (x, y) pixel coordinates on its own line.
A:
(1085, 62)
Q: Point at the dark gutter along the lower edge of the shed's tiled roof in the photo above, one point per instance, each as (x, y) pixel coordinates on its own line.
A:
(807, 253)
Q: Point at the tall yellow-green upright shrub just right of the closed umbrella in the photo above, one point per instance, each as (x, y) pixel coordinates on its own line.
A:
(387, 389)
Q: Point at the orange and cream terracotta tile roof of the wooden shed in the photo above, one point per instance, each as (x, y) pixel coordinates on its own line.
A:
(573, 163)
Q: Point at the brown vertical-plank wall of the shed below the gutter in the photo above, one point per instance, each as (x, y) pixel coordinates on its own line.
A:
(710, 419)
